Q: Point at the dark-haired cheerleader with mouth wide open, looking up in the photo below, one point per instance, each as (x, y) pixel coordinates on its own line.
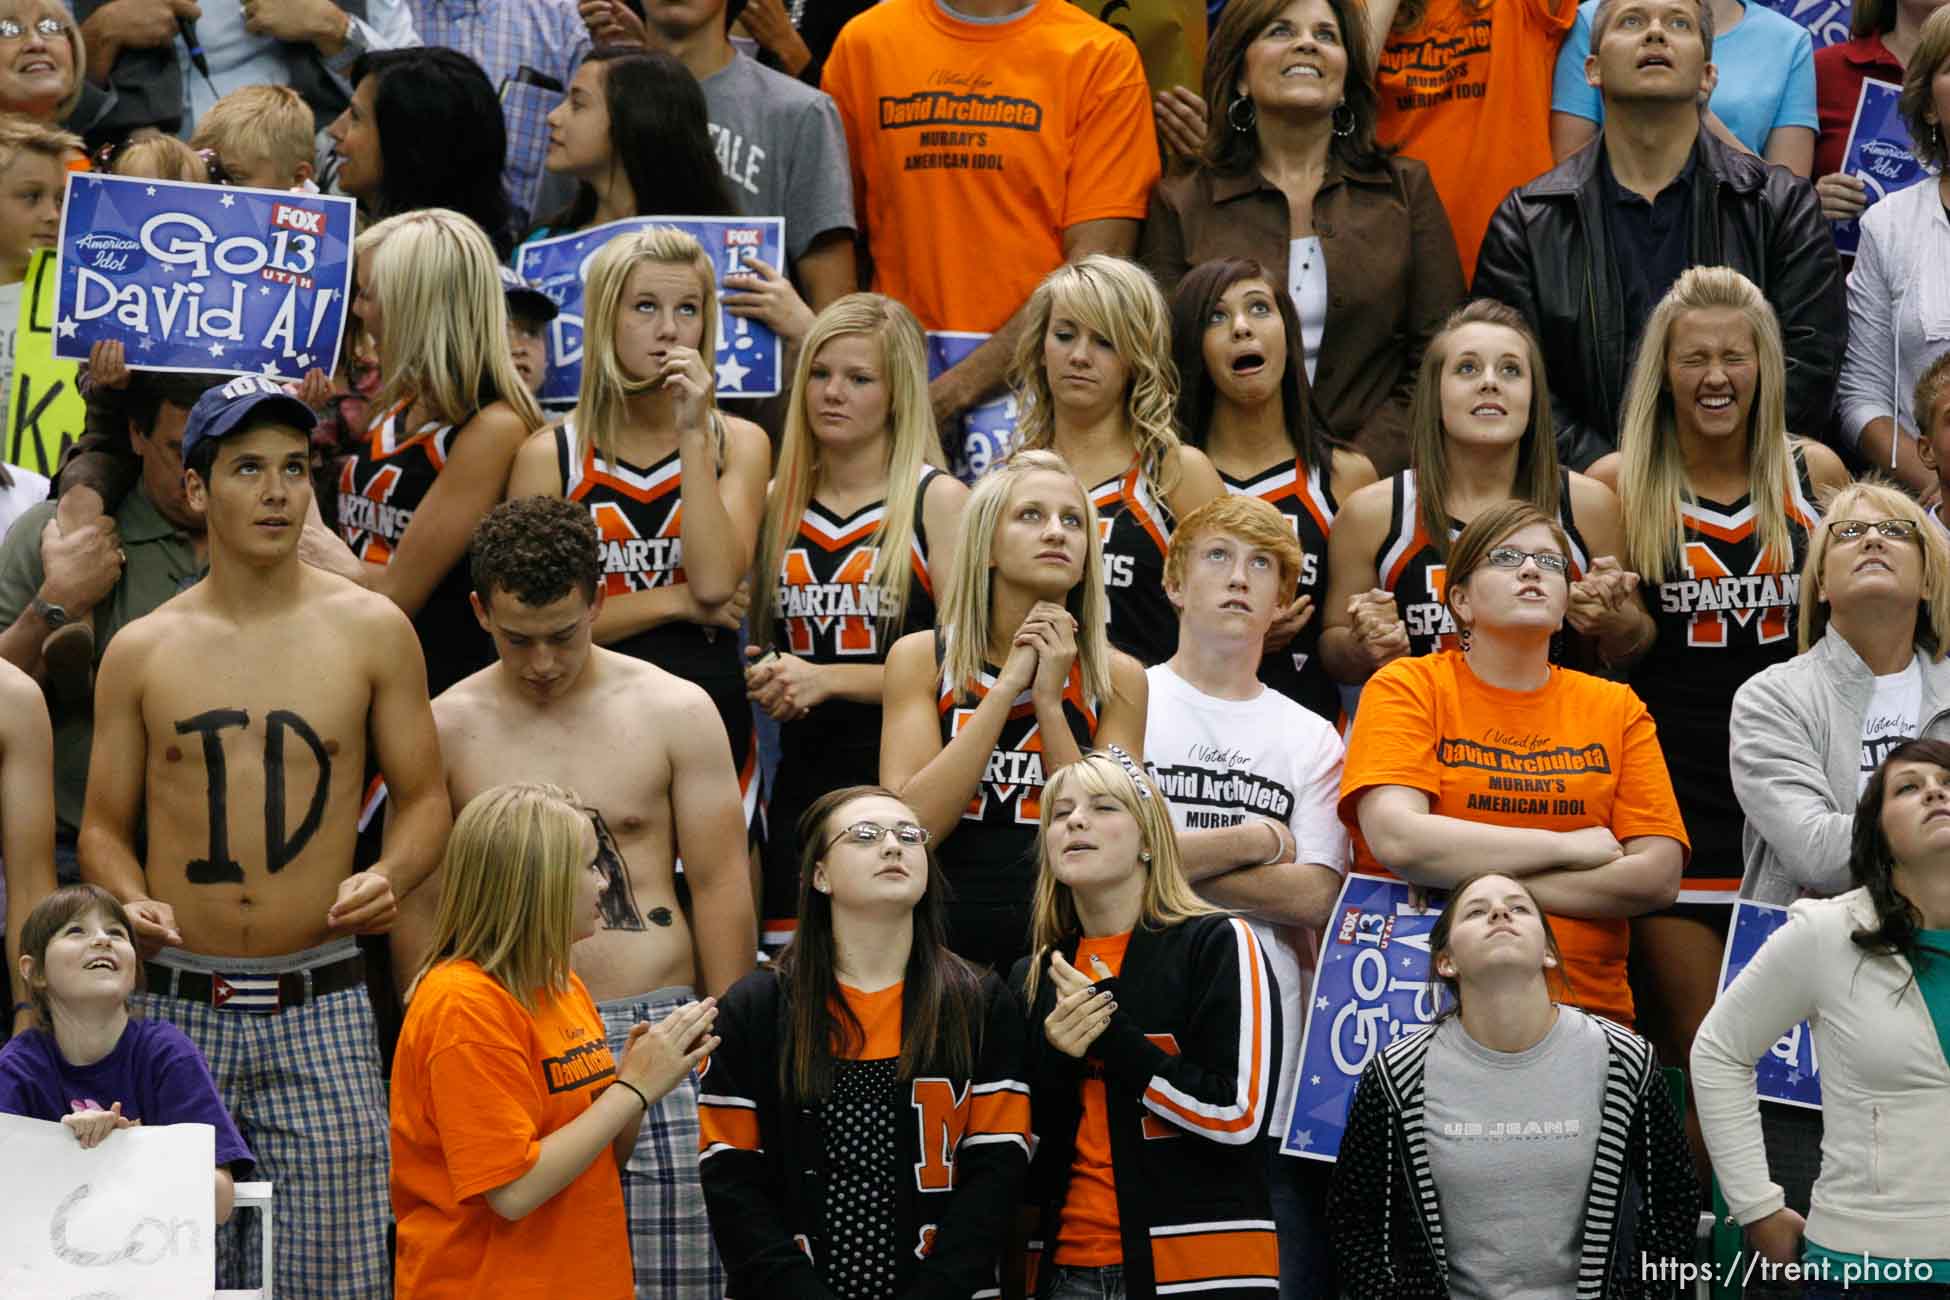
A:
(1247, 406)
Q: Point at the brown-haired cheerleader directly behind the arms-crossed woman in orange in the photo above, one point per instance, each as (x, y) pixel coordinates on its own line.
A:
(1479, 436)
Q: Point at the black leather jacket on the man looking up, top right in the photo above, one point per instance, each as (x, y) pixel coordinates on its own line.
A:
(1549, 256)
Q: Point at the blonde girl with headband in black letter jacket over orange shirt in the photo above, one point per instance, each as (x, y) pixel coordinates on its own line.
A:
(1153, 1053)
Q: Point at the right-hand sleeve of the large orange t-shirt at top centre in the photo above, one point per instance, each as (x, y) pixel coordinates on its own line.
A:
(1114, 155)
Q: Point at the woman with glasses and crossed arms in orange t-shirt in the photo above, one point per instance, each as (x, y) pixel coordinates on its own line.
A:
(1491, 753)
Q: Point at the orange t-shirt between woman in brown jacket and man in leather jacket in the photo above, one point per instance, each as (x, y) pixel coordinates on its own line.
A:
(1467, 93)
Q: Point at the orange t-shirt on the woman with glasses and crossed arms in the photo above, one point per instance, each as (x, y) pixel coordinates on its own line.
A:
(1577, 753)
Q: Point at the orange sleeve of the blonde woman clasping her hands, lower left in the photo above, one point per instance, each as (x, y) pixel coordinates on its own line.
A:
(485, 1092)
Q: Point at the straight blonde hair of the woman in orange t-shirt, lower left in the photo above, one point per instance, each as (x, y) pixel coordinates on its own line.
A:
(508, 888)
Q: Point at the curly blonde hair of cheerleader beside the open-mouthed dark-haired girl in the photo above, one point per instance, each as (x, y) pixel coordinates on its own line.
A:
(1120, 301)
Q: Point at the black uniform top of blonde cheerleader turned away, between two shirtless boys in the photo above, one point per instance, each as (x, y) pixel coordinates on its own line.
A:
(381, 484)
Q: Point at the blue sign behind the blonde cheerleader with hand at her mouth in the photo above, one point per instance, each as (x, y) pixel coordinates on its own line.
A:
(750, 360)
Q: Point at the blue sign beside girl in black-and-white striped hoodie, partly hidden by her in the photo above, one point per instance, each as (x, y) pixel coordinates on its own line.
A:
(1372, 987)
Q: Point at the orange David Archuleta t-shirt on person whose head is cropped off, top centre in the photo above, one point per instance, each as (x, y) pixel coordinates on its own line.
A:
(976, 145)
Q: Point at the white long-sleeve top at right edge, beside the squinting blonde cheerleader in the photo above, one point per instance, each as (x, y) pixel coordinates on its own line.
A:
(1898, 309)
